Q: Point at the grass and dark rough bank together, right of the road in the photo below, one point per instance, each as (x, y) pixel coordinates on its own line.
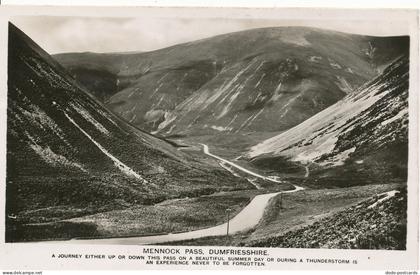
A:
(323, 218)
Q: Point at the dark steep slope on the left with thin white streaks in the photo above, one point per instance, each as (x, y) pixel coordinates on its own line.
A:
(69, 156)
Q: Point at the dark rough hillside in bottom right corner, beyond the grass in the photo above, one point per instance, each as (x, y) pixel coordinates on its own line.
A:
(376, 223)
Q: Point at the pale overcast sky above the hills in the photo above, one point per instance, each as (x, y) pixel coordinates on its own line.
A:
(79, 34)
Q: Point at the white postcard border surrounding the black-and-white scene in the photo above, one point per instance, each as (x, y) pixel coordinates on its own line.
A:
(37, 256)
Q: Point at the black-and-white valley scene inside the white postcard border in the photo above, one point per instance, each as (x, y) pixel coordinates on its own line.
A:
(214, 132)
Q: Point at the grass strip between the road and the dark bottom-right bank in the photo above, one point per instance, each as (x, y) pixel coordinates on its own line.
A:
(296, 211)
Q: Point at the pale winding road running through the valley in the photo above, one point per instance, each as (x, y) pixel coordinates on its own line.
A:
(244, 220)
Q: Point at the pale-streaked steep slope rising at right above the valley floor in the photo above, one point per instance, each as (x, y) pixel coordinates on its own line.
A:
(361, 138)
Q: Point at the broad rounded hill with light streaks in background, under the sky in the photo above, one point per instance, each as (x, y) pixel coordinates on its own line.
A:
(257, 80)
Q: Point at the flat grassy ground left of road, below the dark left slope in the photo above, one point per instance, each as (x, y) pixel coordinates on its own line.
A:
(170, 216)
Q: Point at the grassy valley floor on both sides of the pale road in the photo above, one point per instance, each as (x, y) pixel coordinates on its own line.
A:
(284, 213)
